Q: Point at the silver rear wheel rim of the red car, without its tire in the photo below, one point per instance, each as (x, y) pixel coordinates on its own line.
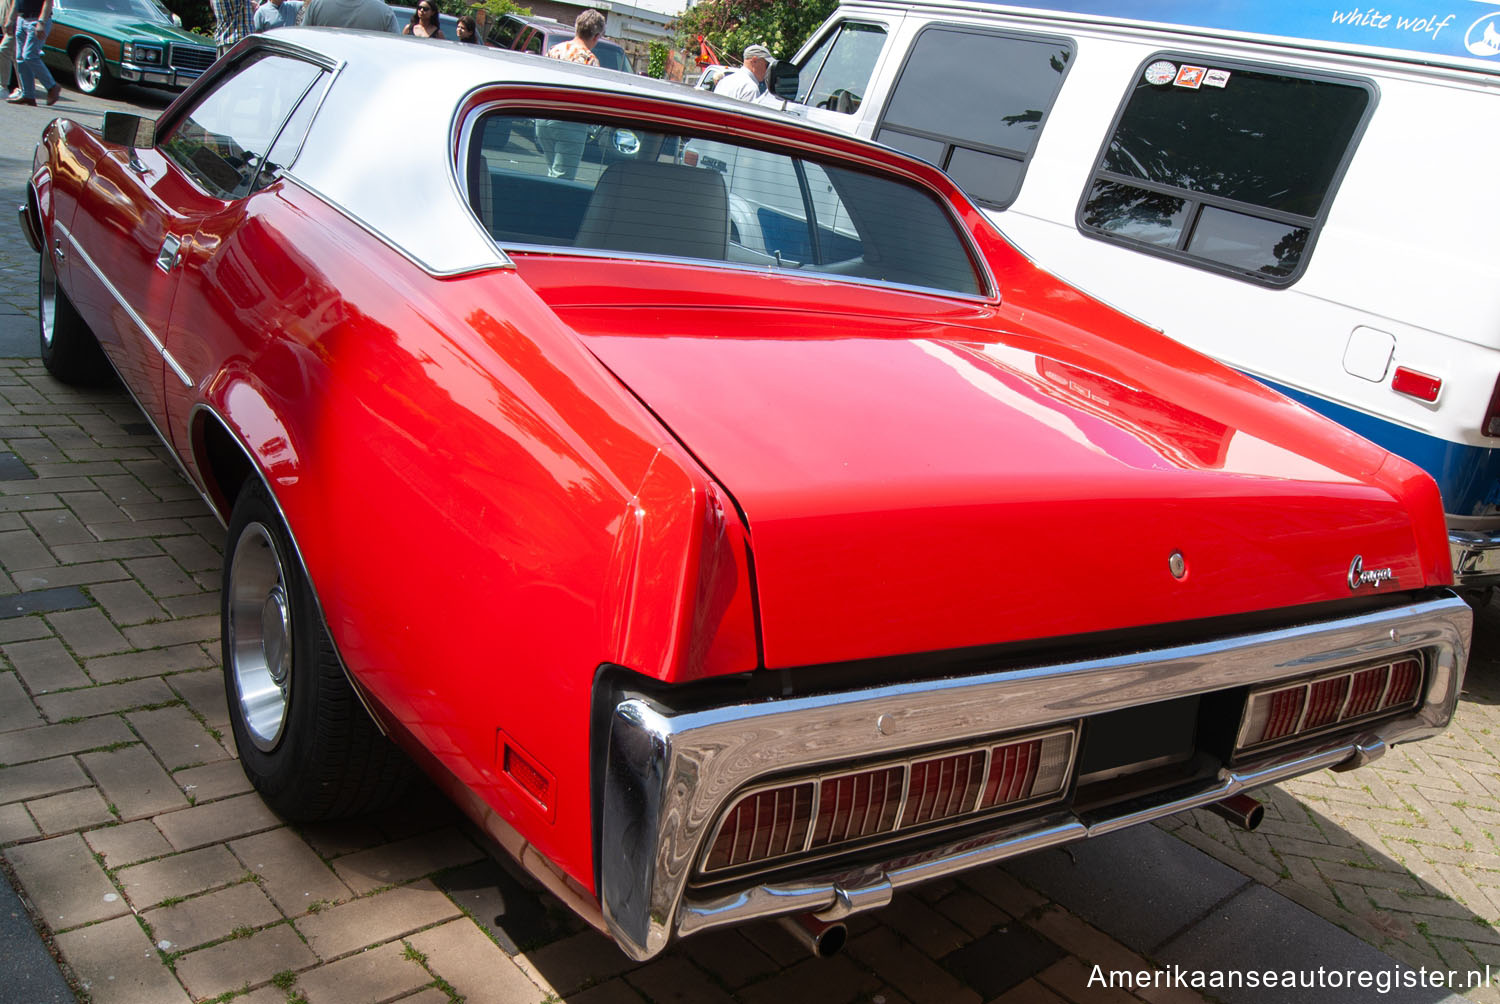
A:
(260, 636)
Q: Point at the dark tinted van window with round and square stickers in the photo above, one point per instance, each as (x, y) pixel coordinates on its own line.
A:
(1225, 167)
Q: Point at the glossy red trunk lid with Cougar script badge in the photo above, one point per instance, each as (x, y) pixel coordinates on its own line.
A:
(920, 473)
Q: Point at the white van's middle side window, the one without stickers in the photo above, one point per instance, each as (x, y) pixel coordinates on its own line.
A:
(974, 104)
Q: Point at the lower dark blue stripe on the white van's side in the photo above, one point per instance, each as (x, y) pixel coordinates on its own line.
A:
(1469, 476)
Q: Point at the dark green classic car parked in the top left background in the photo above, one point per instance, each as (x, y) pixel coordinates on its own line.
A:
(107, 41)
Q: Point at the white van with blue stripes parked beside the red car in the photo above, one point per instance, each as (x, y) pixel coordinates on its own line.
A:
(1304, 191)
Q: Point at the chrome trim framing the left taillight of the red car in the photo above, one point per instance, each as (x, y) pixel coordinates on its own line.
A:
(899, 831)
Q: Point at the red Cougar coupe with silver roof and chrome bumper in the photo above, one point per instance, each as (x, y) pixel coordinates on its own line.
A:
(724, 514)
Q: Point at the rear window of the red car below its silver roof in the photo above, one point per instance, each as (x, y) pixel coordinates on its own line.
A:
(616, 188)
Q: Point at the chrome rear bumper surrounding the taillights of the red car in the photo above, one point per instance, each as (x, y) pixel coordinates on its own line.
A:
(670, 775)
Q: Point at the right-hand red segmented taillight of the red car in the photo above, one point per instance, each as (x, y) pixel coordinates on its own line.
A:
(1312, 706)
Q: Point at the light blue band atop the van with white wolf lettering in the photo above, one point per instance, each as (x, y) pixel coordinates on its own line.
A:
(1454, 29)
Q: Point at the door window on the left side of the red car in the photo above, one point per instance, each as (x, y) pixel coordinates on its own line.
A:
(224, 140)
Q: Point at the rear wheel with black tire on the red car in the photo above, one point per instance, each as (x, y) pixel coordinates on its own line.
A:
(320, 756)
